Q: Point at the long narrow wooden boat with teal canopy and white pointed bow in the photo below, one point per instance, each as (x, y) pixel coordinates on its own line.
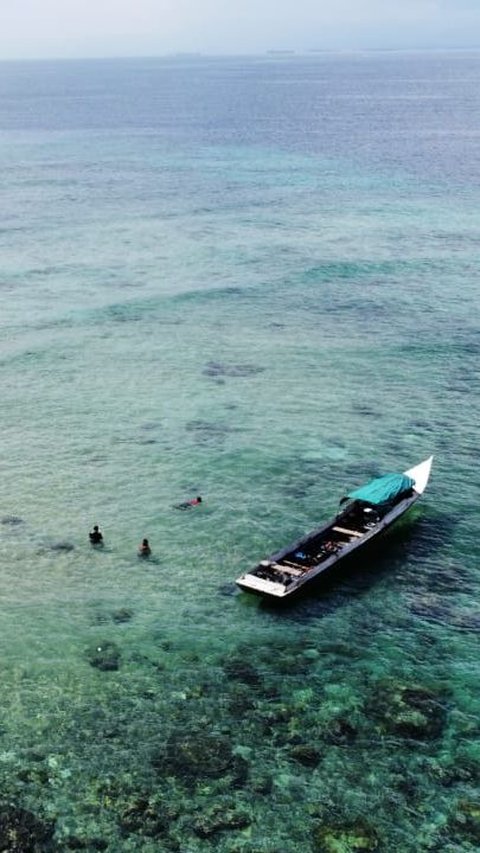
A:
(366, 512)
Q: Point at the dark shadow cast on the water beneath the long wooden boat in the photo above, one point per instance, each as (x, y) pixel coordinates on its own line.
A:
(358, 573)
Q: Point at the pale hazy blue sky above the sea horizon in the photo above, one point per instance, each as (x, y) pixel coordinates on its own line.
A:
(104, 28)
